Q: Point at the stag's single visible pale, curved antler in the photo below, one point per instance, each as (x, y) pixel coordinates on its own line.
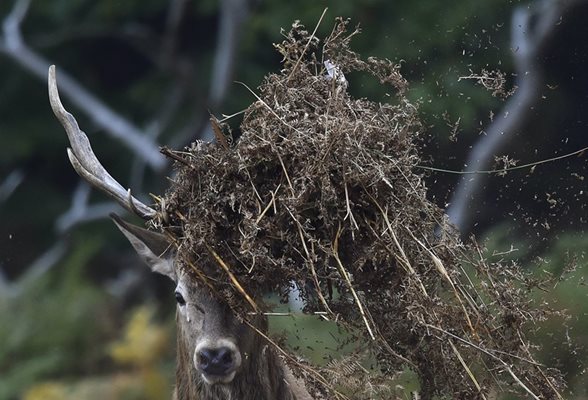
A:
(84, 160)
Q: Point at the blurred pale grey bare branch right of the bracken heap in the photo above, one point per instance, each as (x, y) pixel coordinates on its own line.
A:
(531, 27)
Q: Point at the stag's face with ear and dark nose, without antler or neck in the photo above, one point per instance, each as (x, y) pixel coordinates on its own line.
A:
(207, 330)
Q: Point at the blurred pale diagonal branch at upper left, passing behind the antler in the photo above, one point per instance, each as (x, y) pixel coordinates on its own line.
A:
(13, 45)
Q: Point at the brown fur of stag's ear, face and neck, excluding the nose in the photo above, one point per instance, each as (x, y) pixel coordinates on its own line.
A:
(202, 319)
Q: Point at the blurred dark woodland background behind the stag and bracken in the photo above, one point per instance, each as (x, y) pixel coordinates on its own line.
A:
(498, 83)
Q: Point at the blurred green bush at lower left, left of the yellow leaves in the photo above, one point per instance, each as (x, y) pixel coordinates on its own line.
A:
(52, 325)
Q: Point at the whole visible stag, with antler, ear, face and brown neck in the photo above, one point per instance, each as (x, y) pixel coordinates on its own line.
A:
(219, 356)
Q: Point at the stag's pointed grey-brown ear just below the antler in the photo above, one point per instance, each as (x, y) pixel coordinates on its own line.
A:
(153, 247)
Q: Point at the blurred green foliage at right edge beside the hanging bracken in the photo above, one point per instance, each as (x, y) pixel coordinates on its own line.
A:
(561, 271)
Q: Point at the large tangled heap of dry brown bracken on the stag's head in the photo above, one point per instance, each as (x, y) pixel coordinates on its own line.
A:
(324, 190)
